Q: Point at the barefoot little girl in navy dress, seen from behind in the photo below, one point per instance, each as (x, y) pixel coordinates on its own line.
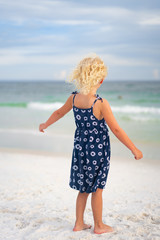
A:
(91, 153)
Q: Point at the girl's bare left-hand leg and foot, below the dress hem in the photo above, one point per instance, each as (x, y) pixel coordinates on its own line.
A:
(80, 207)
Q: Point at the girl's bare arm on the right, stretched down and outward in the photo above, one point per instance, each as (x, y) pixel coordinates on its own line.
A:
(117, 130)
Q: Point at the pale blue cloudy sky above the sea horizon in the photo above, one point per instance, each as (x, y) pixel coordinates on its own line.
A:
(45, 40)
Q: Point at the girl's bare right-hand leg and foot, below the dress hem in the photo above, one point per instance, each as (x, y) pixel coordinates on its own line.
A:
(97, 205)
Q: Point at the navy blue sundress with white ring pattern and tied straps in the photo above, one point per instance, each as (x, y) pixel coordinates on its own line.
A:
(91, 152)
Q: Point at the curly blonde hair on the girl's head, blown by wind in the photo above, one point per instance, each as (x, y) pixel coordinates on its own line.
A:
(88, 73)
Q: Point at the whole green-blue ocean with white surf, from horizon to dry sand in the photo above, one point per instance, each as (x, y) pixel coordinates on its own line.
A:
(24, 105)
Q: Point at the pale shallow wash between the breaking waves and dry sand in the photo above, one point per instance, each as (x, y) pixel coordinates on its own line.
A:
(60, 144)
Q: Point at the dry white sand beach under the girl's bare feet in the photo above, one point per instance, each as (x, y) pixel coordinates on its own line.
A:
(36, 202)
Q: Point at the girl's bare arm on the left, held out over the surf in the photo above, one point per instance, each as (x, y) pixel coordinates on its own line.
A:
(56, 115)
